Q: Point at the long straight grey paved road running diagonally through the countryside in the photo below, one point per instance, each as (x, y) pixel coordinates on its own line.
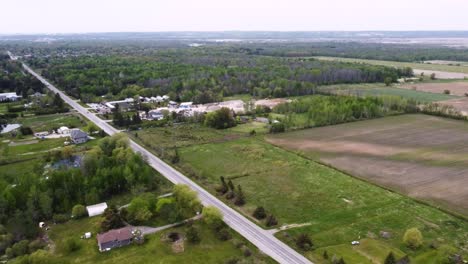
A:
(264, 240)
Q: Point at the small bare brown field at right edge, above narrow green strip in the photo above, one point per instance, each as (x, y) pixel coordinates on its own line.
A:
(455, 88)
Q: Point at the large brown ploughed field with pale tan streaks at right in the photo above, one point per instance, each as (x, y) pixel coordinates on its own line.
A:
(423, 156)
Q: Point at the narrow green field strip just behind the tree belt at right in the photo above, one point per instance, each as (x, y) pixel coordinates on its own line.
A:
(380, 89)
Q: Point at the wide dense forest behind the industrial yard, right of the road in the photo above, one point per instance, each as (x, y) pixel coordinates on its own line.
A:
(202, 75)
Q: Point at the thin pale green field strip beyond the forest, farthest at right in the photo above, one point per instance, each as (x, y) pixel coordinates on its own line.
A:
(422, 66)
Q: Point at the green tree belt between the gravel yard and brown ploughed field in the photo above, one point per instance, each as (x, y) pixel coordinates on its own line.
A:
(334, 109)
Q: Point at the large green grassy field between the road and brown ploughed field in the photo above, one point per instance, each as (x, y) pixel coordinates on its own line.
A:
(335, 208)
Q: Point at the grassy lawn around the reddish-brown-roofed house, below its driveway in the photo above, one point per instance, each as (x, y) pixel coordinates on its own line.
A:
(154, 250)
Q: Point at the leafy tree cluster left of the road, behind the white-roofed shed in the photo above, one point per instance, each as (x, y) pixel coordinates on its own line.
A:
(108, 169)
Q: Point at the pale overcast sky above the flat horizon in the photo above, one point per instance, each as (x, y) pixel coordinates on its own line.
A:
(66, 16)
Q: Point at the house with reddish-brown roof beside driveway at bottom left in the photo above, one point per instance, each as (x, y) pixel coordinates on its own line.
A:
(115, 238)
